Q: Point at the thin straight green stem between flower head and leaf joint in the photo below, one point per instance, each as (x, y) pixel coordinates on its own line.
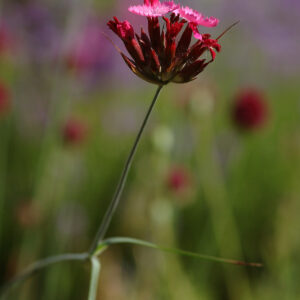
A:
(116, 199)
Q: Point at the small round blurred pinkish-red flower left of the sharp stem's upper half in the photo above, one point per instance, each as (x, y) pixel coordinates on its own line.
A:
(74, 131)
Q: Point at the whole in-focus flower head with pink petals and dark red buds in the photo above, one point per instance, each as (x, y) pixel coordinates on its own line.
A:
(165, 55)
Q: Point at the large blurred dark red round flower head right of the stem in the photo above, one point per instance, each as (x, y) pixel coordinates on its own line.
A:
(249, 109)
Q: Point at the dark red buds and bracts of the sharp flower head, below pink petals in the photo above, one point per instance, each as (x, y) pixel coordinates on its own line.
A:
(165, 55)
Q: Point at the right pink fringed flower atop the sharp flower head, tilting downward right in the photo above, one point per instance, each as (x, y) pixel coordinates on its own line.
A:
(196, 17)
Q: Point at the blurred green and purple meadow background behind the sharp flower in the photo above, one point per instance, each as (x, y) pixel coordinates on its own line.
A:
(217, 171)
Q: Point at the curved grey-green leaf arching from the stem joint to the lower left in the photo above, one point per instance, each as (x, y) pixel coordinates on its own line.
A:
(41, 264)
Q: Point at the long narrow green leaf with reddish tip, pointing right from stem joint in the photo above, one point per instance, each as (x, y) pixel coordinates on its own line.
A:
(128, 240)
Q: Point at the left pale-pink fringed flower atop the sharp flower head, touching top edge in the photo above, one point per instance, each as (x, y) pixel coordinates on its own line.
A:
(156, 10)
